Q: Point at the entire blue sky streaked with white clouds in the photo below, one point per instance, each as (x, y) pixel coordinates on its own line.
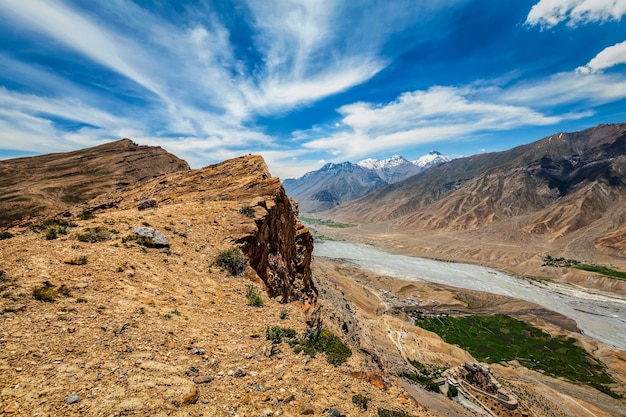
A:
(306, 82)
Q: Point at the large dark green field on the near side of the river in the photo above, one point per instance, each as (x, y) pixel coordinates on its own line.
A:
(501, 338)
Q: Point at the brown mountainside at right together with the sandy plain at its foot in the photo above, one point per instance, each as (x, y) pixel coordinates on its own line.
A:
(564, 195)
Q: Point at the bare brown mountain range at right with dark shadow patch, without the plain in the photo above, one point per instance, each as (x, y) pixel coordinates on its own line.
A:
(565, 185)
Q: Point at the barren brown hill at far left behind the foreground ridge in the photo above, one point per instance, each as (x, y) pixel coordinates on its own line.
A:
(50, 183)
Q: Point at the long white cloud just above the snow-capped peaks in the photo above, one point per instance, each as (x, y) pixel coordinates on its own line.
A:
(425, 116)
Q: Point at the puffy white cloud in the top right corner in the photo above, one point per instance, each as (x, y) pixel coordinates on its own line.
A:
(549, 13)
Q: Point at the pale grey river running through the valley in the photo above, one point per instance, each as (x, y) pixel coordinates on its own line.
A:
(600, 316)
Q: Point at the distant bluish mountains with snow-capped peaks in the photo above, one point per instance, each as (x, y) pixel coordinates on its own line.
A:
(334, 184)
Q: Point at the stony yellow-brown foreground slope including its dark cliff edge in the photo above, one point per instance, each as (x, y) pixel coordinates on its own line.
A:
(135, 330)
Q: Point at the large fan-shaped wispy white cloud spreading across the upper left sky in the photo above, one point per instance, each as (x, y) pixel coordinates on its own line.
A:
(193, 82)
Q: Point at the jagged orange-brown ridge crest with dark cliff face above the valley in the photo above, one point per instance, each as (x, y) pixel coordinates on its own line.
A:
(277, 244)
